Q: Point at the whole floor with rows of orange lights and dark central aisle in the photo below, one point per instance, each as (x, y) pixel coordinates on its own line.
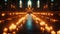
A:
(32, 23)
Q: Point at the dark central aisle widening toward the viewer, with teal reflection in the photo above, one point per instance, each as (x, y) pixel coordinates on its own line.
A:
(30, 27)
